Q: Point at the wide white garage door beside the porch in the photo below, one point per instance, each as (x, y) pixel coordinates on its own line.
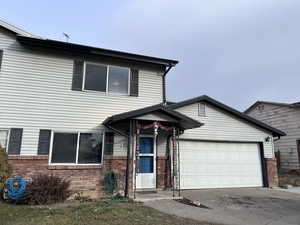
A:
(219, 165)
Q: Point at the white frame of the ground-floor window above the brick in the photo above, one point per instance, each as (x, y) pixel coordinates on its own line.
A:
(77, 149)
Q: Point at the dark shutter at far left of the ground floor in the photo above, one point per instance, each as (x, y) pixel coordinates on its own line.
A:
(15, 141)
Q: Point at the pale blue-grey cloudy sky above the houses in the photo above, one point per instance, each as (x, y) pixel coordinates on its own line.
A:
(236, 51)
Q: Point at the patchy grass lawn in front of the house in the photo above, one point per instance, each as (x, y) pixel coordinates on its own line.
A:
(88, 214)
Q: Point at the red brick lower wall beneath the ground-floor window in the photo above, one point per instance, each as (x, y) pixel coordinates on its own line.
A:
(86, 179)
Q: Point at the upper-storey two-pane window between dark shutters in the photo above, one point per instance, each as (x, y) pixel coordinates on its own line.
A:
(112, 79)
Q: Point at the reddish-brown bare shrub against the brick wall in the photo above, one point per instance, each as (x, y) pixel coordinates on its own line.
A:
(47, 189)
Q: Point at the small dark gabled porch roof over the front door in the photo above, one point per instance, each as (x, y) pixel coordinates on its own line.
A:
(183, 121)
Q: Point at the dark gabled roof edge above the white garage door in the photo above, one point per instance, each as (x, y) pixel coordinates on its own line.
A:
(231, 111)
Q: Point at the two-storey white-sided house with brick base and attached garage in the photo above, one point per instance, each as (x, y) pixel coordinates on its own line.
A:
(80, 111)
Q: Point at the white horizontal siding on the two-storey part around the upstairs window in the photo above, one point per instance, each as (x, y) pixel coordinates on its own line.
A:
(35, 90)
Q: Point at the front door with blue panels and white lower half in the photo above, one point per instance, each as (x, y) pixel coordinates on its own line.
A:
(146, 173)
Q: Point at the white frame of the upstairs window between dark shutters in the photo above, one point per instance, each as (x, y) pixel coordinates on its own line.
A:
(107, 78)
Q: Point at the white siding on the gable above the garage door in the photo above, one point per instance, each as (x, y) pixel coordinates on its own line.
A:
(221, 126)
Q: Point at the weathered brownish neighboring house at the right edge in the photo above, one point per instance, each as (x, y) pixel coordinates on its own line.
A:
(285, 117)
